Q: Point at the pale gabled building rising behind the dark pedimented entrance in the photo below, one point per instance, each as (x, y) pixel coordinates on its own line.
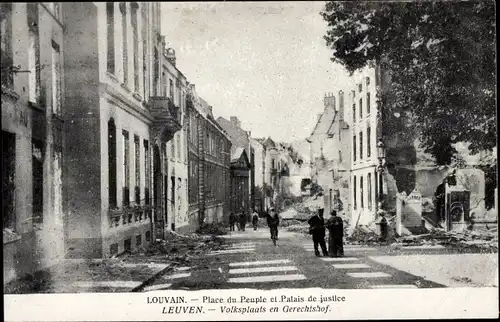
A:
(241, 139)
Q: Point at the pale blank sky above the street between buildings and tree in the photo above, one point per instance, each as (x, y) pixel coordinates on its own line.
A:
(264, 62)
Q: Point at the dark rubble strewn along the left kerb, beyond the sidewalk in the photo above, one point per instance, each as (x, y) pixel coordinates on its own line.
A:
(178, 249)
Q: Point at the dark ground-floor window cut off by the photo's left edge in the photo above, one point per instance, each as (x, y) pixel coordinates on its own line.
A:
(8, 180)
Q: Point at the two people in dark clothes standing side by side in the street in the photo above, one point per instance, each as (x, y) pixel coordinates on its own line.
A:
(335, 226)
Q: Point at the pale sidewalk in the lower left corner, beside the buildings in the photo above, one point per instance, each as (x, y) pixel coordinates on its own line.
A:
(92, 275)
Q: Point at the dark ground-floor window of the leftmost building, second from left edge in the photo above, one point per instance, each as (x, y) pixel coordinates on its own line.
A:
(38, 153)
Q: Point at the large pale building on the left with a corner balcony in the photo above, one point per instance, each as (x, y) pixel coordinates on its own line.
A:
(120, 112)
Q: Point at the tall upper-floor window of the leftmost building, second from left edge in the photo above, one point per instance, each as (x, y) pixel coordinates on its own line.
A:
(33, 54)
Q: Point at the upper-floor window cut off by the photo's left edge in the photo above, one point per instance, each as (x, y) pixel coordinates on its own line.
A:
(6, 47)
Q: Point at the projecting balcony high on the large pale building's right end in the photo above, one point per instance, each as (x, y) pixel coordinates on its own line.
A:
(167, 117)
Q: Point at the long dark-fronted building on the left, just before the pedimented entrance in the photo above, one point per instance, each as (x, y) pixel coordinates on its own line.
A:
(209, 155)
